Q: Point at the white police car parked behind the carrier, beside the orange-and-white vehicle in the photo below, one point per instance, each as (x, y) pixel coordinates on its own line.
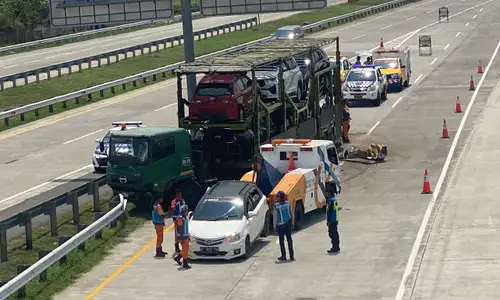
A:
(365, 83)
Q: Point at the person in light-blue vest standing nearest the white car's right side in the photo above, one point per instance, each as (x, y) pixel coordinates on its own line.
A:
(283, 224)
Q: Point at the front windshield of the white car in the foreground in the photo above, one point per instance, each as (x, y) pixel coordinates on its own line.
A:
(216, 209)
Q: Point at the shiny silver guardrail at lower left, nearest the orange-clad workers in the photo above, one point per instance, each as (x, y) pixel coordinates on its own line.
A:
(28, 273)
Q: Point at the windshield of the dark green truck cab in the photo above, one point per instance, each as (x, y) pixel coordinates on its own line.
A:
(129, 150)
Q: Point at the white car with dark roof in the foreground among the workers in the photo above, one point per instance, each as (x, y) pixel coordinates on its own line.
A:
(229, 218)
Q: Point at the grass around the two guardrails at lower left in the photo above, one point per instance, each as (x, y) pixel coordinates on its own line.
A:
(62, 275)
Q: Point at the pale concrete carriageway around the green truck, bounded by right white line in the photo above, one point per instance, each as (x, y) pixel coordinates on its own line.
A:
(382, 203)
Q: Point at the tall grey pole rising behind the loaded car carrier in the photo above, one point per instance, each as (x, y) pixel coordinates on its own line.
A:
(188, 36)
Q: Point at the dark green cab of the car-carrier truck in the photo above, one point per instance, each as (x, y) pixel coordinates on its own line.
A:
(150, 162)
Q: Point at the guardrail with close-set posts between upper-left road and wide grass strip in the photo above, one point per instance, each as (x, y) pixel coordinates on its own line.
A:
(150, 46)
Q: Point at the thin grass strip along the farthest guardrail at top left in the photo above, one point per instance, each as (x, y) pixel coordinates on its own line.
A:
(195, 6)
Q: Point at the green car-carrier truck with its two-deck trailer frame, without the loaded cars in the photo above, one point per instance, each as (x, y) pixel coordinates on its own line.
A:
(152, 161)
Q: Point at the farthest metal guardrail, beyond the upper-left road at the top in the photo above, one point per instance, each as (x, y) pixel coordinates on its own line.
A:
(85, 33)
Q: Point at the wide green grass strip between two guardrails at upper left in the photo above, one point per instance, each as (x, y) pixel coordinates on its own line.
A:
(23, 95)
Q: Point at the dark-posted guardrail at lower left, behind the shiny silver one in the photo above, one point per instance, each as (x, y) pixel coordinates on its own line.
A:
(49, 208)
